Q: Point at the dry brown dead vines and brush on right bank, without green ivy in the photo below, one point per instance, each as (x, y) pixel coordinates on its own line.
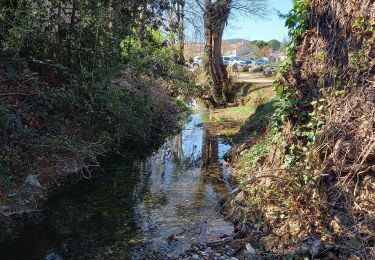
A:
(334, 206)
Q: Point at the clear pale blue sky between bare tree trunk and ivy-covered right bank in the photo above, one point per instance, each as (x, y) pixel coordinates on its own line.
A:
(251, 29)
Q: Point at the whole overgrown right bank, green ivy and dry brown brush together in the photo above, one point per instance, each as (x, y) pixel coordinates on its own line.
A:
(313, 156)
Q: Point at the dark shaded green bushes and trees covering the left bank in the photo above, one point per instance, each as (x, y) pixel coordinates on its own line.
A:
(77, 79)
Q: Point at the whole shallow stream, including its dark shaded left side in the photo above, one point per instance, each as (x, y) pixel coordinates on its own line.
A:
(153, 208)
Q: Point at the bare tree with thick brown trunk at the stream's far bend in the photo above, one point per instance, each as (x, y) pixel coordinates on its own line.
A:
(216, 14)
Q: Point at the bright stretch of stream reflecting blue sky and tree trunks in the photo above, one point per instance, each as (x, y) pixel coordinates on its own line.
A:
(179, 202)
